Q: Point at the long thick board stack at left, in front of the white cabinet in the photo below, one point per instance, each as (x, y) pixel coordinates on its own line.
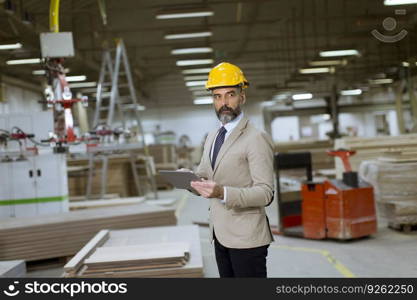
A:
(64, 234)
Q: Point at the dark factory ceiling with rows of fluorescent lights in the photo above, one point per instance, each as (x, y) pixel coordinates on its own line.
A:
(271, 40)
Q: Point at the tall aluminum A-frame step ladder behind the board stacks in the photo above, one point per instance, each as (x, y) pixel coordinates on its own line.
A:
(115, 75)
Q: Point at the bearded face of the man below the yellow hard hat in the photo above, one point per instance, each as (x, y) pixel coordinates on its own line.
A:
(227, 102)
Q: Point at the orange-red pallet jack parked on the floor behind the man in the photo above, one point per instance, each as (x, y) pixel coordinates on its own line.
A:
(336, 209)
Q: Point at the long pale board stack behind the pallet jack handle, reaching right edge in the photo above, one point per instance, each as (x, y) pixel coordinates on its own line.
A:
(372, 148)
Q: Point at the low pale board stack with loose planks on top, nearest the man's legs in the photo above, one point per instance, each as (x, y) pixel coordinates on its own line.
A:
(172, 251)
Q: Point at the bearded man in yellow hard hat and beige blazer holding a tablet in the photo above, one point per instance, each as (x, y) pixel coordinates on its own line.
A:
(237, 163)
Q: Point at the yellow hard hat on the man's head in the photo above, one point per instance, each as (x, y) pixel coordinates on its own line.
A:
(226, 74)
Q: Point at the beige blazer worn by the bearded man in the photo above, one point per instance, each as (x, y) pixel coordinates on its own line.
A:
(244, 165)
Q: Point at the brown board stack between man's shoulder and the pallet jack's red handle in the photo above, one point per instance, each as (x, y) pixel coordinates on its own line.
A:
(318, 148)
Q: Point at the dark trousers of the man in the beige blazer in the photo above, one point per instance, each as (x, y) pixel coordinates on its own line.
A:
(232, 262)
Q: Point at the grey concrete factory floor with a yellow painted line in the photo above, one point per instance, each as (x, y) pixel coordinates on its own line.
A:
(387, 254)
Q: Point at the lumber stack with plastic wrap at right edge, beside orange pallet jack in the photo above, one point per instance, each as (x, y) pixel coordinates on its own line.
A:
(395, 188)
